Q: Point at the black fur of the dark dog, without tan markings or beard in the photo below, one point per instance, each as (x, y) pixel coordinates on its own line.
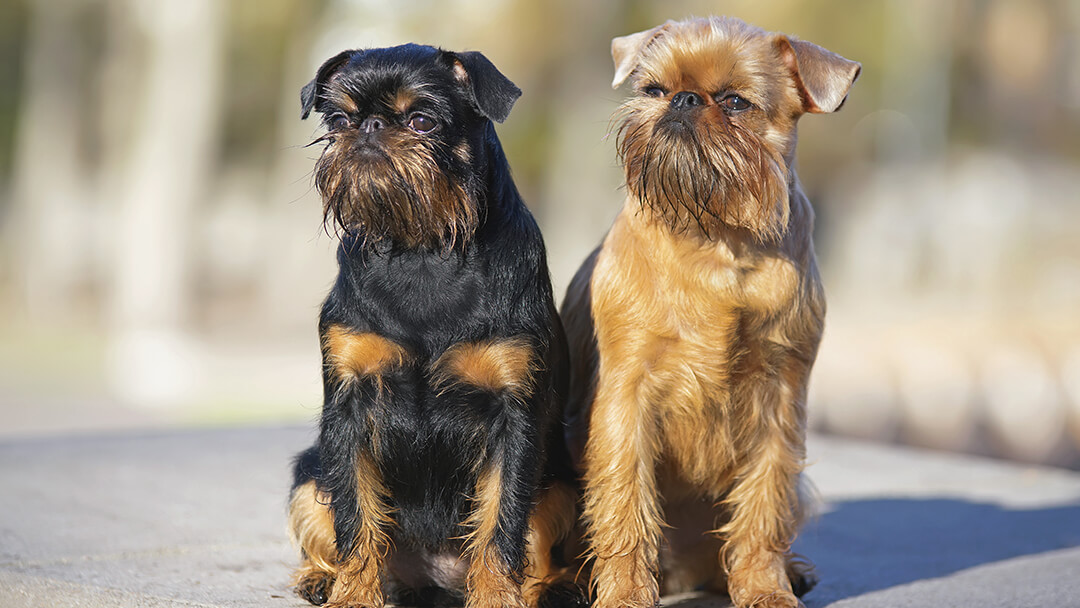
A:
(434, 441)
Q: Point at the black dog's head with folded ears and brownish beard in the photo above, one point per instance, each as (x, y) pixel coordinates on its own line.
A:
(406, 128)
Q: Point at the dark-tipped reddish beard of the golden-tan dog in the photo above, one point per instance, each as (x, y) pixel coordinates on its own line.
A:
(705, 174)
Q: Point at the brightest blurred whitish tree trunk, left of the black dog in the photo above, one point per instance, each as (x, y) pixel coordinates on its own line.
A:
(166, 174)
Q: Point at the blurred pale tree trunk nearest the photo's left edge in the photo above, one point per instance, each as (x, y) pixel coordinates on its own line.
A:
(52, 190)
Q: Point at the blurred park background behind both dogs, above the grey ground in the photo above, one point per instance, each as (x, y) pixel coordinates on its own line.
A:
(163, 261)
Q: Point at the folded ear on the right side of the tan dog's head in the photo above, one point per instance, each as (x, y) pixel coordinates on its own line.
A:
(822, 77)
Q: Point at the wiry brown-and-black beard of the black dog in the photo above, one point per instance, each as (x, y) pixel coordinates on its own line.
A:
(402, 197)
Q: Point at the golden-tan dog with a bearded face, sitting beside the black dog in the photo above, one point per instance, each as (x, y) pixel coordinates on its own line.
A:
(694, 327)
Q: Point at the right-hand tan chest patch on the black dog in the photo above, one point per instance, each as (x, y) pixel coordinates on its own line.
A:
(495, 367)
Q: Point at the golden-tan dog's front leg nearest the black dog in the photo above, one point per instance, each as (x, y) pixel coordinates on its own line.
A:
(622, 508)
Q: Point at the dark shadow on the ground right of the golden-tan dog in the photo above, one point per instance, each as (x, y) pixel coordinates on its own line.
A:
(866, 546)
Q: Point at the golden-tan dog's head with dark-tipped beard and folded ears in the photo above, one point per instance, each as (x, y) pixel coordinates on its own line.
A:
(709, 138)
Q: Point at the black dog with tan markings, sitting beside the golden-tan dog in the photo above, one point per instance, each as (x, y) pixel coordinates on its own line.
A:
(440, 476)
